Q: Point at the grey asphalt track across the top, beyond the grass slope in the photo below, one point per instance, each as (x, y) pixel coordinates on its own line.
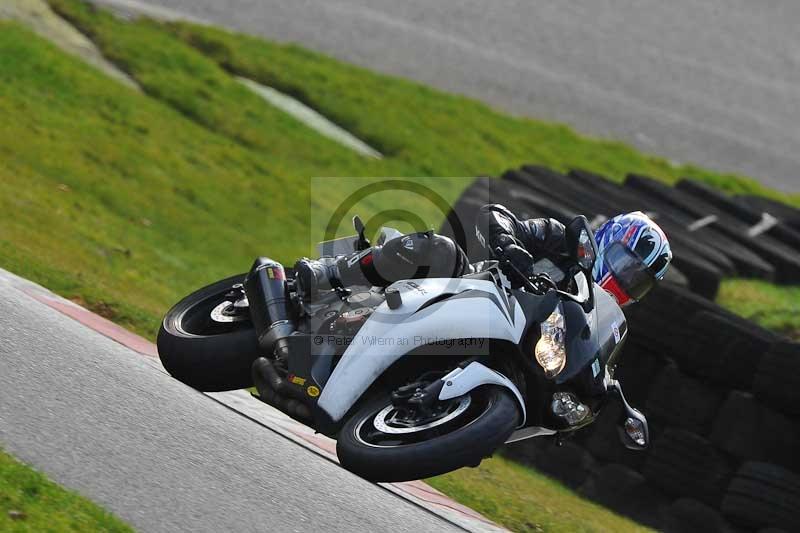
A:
(712, 82)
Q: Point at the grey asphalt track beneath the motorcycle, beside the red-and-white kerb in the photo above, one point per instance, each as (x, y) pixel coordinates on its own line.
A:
(106, 421)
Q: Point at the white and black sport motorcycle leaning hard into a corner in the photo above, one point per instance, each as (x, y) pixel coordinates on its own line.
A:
(424, 376)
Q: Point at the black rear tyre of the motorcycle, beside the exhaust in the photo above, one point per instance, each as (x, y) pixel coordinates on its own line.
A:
(208, 358)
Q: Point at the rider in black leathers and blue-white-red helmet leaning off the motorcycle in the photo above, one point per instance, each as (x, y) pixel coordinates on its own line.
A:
(633, 253)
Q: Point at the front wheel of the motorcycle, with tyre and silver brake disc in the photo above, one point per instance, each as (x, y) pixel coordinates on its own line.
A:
(382, 442)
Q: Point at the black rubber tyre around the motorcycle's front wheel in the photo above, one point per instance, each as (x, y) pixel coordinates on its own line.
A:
(465, 445)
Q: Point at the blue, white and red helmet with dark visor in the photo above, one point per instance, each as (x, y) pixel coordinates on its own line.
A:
(633, 253)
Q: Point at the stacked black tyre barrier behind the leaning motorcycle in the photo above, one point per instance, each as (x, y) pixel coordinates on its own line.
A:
(722, 394)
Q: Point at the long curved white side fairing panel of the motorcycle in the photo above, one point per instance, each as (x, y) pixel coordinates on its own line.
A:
(479, 312)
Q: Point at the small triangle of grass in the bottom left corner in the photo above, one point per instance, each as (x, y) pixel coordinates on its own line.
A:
(31, 502)
